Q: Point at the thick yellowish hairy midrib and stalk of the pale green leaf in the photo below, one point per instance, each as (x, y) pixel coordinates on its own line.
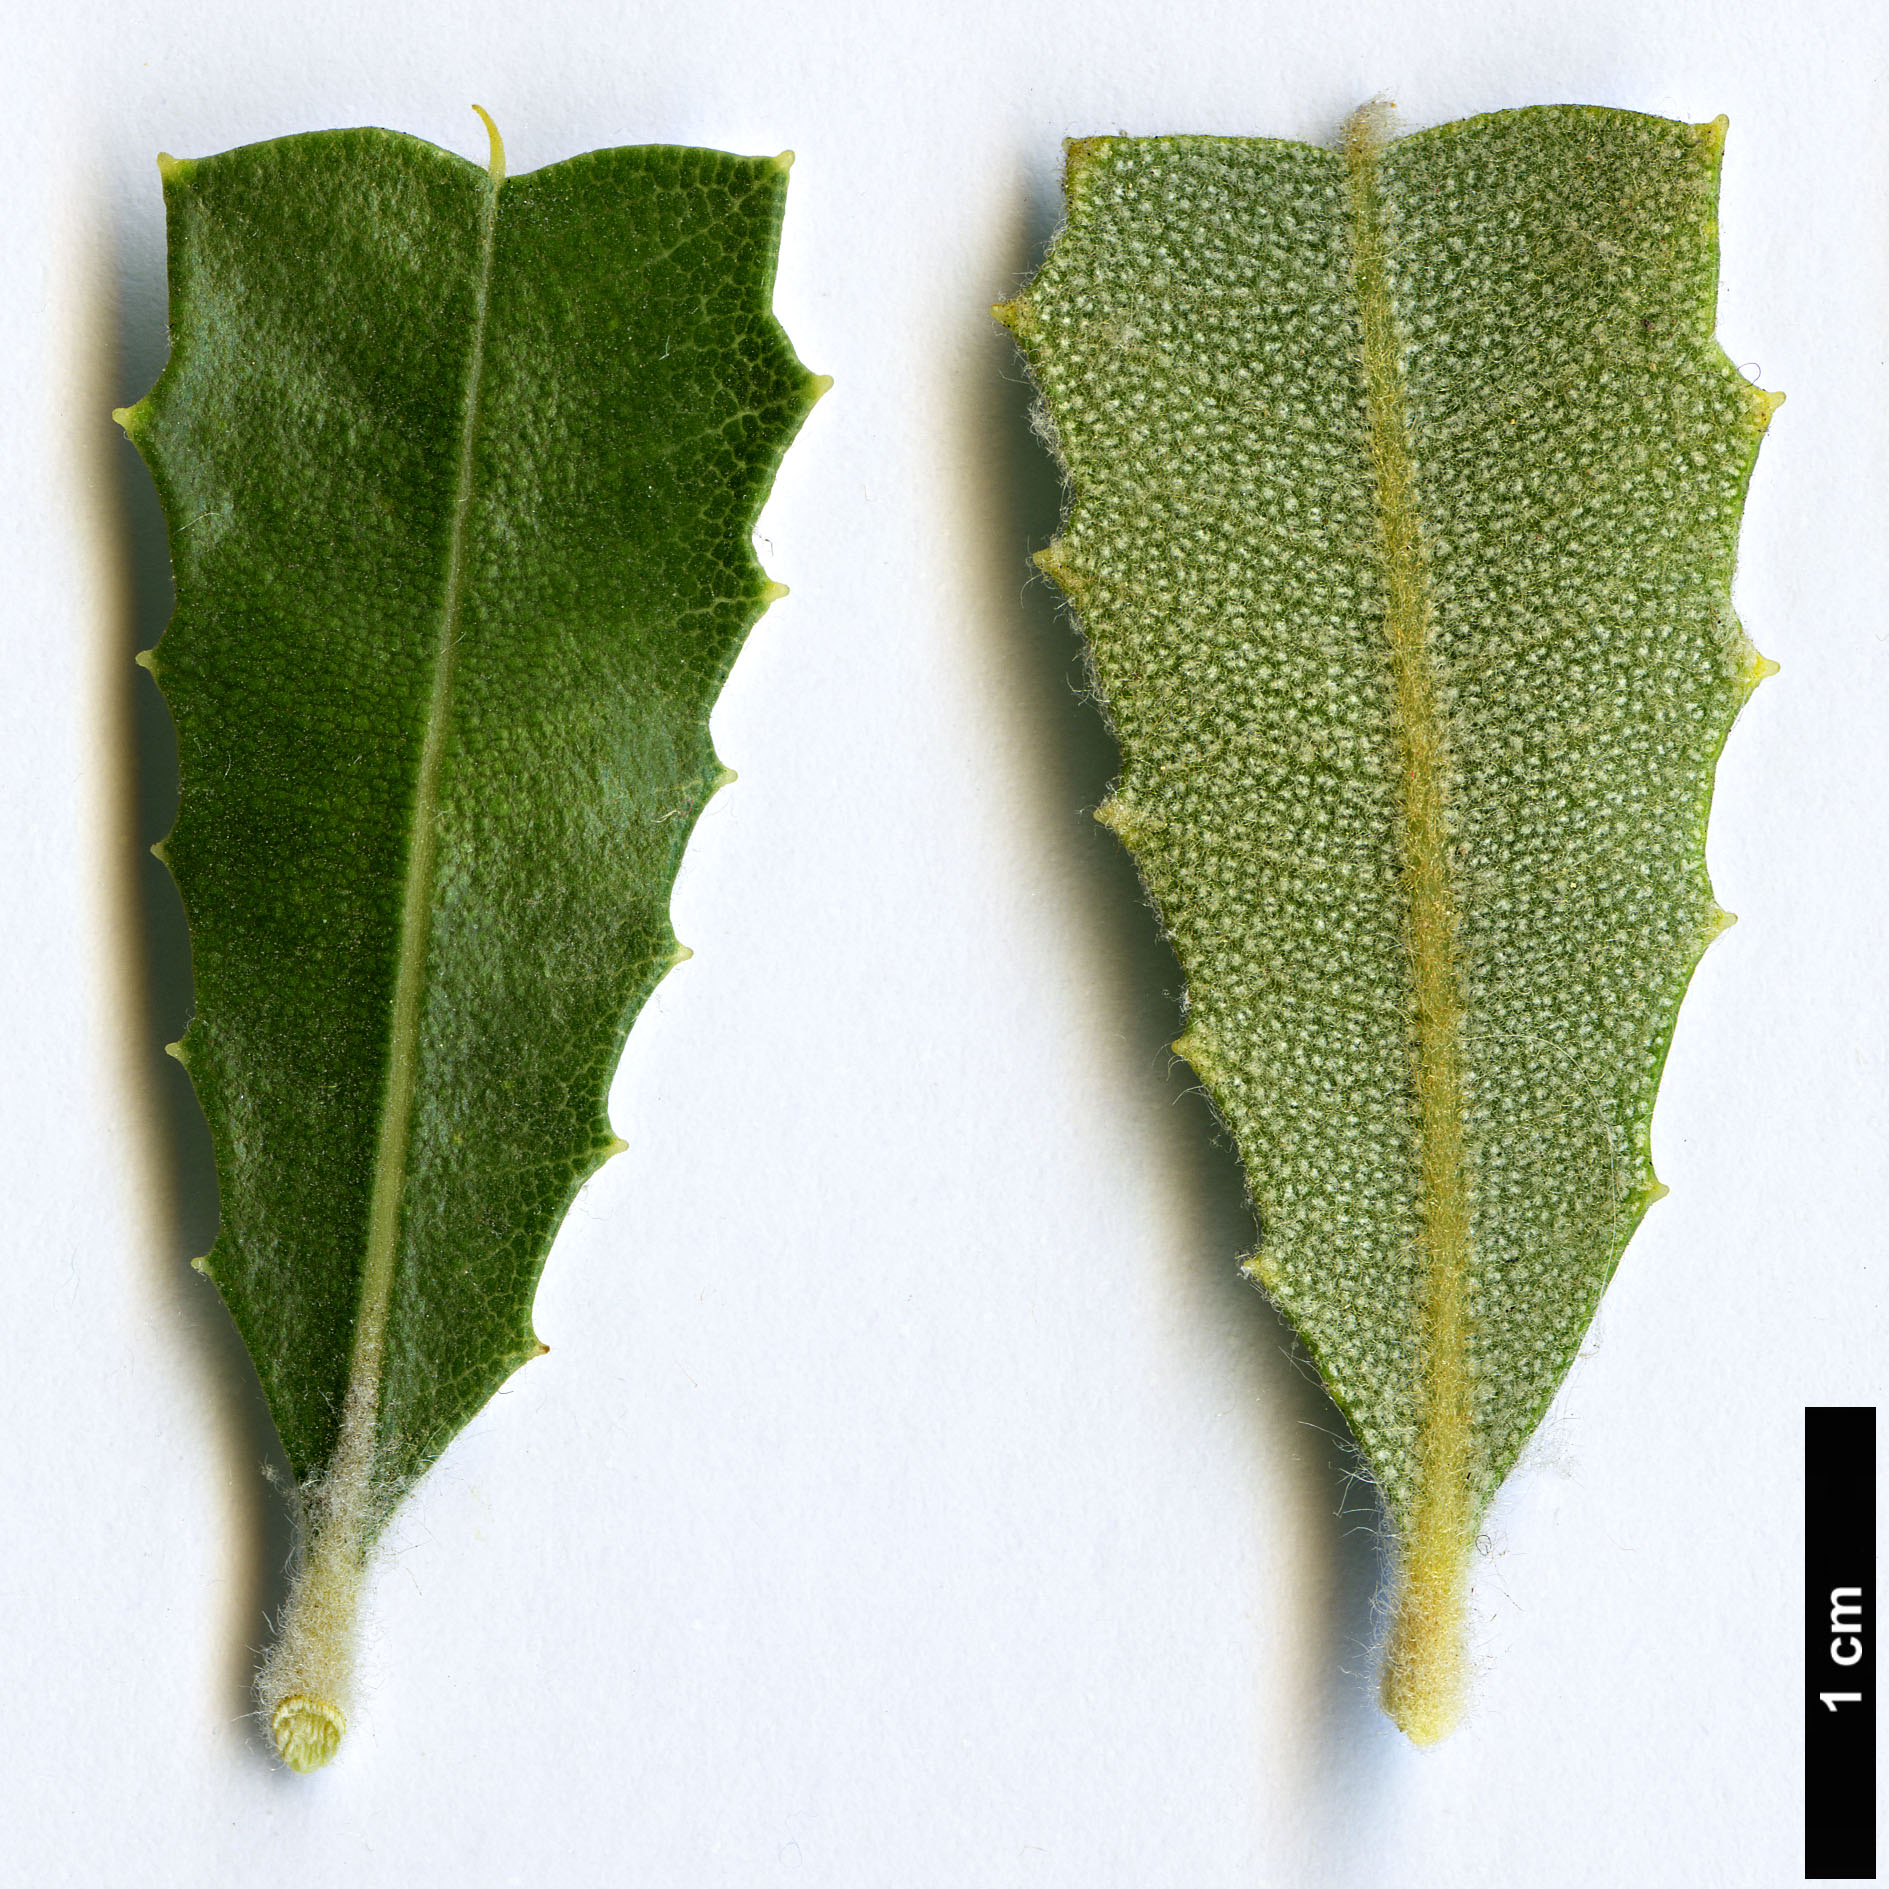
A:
(1438, 1529)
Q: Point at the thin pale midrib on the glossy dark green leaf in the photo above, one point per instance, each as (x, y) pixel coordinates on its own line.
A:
(360, 1420)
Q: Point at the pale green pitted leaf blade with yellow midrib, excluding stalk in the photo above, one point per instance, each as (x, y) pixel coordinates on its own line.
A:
(1406, 488)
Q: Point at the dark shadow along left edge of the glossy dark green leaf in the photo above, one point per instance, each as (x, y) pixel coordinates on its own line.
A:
(152, 955)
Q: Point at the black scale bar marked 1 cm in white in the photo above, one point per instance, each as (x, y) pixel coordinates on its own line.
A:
(1841, 1644)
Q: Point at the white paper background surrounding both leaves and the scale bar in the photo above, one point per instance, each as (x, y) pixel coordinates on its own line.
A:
(913, 1493)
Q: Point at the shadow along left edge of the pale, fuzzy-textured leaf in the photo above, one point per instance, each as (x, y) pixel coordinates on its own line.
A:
(1344, 1739)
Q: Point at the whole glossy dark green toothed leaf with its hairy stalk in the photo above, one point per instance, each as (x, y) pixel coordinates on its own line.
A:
(462, 473)
